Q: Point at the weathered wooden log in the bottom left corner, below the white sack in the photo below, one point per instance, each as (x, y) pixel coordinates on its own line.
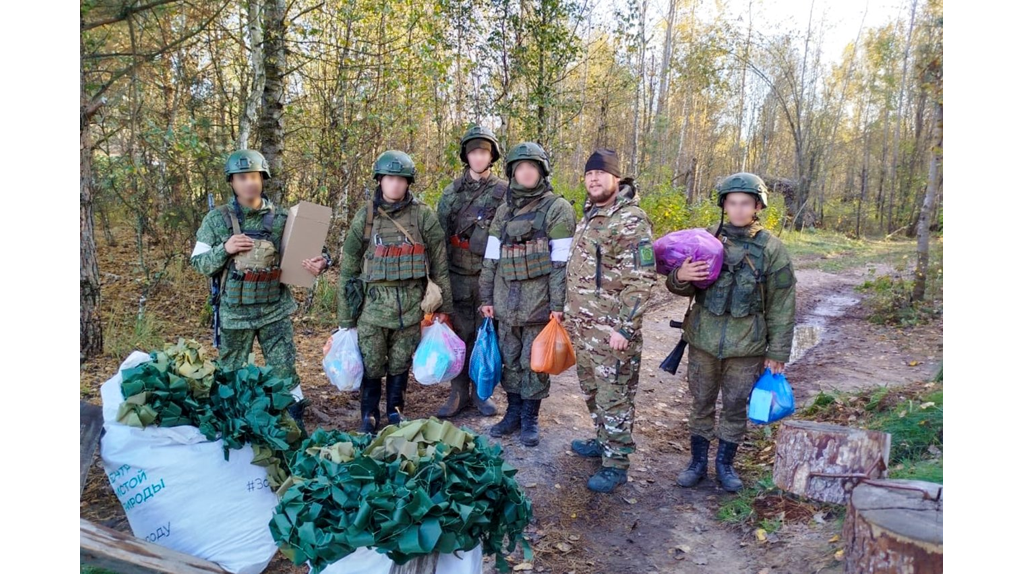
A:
(122, 553)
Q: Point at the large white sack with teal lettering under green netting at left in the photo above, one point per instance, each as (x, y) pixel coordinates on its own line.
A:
(179, 492)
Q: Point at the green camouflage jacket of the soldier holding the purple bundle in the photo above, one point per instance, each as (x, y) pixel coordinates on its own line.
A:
(767, 333)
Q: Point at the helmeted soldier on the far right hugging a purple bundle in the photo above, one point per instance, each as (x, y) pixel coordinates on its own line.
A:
(739, 327)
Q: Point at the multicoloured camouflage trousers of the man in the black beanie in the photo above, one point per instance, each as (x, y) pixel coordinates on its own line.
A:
(610, 387)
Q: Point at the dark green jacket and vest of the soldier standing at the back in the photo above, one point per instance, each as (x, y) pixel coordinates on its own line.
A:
(465, 211)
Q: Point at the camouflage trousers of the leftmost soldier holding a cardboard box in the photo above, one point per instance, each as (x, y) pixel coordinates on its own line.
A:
(277, 340)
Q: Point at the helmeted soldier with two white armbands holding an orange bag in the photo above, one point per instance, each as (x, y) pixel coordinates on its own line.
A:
(523, 284)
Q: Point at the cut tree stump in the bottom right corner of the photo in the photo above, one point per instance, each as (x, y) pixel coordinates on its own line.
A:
(895, 527)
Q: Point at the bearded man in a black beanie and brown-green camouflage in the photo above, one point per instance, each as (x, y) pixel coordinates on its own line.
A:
(611, 276)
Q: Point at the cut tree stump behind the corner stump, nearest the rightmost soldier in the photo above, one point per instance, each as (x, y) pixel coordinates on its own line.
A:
(823, 462)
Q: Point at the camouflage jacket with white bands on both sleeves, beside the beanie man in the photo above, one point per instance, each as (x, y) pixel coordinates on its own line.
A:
(531, 301)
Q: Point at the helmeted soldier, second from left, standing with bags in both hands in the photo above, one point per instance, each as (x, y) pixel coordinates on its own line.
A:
(394, 244)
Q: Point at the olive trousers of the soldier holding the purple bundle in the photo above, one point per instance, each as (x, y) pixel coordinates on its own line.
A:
(707, 377)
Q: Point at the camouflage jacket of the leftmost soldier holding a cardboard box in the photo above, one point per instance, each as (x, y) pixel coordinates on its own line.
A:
(210, 258)
